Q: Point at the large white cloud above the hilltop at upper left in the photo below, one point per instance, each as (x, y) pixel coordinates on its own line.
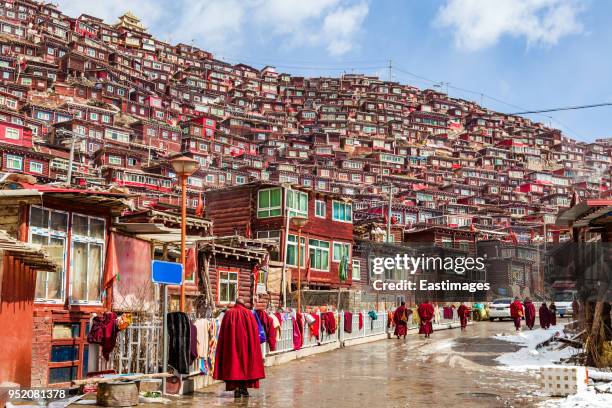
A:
(224, 26)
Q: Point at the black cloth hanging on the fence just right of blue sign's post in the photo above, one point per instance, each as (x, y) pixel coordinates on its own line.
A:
(179, 338)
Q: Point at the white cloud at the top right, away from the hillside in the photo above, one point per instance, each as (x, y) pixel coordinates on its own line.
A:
(479, 24)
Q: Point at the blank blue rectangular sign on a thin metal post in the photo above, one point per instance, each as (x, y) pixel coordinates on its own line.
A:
(166, 273)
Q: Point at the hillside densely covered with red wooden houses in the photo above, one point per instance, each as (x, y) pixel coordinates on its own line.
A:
(92, 112)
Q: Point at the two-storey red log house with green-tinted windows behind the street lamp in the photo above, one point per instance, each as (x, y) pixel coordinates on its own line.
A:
(264, 210)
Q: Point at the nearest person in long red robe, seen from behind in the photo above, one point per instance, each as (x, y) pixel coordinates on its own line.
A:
(239, 361)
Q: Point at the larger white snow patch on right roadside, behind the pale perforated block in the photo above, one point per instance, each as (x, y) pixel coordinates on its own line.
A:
(528, 358)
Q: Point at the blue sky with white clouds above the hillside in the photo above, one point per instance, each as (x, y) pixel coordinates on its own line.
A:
(530, 54)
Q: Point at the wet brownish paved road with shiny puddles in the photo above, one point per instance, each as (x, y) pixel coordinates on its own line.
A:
(452, 369)
